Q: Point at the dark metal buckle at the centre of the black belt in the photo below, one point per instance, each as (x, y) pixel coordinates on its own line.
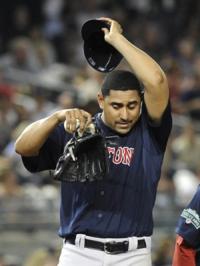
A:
(110, 247)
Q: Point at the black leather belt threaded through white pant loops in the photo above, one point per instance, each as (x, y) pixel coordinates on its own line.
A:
(111, 247)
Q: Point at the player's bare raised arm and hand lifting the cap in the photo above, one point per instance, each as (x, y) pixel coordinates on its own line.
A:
(150, 74)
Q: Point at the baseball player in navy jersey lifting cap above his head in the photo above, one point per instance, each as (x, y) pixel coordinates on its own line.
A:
(109, 222)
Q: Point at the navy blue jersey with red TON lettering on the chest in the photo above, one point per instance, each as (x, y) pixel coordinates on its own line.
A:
(121, 204)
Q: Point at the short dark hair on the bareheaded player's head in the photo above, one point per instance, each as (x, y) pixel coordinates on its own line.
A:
(121, 80)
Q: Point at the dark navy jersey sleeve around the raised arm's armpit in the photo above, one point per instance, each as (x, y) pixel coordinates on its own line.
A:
(160, 131)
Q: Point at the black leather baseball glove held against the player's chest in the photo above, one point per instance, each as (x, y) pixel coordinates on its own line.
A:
(85, 158)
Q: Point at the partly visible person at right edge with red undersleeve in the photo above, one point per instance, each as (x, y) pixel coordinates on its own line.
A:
(188, 234)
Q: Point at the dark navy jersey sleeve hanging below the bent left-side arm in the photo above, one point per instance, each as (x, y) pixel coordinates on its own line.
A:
(49, 153)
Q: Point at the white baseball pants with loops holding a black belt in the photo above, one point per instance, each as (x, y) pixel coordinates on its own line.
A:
(78, 255)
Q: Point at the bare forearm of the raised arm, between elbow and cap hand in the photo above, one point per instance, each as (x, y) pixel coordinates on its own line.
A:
(144, 67)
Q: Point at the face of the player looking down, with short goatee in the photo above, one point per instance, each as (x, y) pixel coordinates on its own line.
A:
(121, 109)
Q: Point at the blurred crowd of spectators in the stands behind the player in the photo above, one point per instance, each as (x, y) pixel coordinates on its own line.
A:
(43, 69)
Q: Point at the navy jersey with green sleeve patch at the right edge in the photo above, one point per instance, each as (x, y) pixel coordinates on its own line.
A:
(189, 221)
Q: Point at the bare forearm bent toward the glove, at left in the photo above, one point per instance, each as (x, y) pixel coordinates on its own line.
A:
(34, 136)
